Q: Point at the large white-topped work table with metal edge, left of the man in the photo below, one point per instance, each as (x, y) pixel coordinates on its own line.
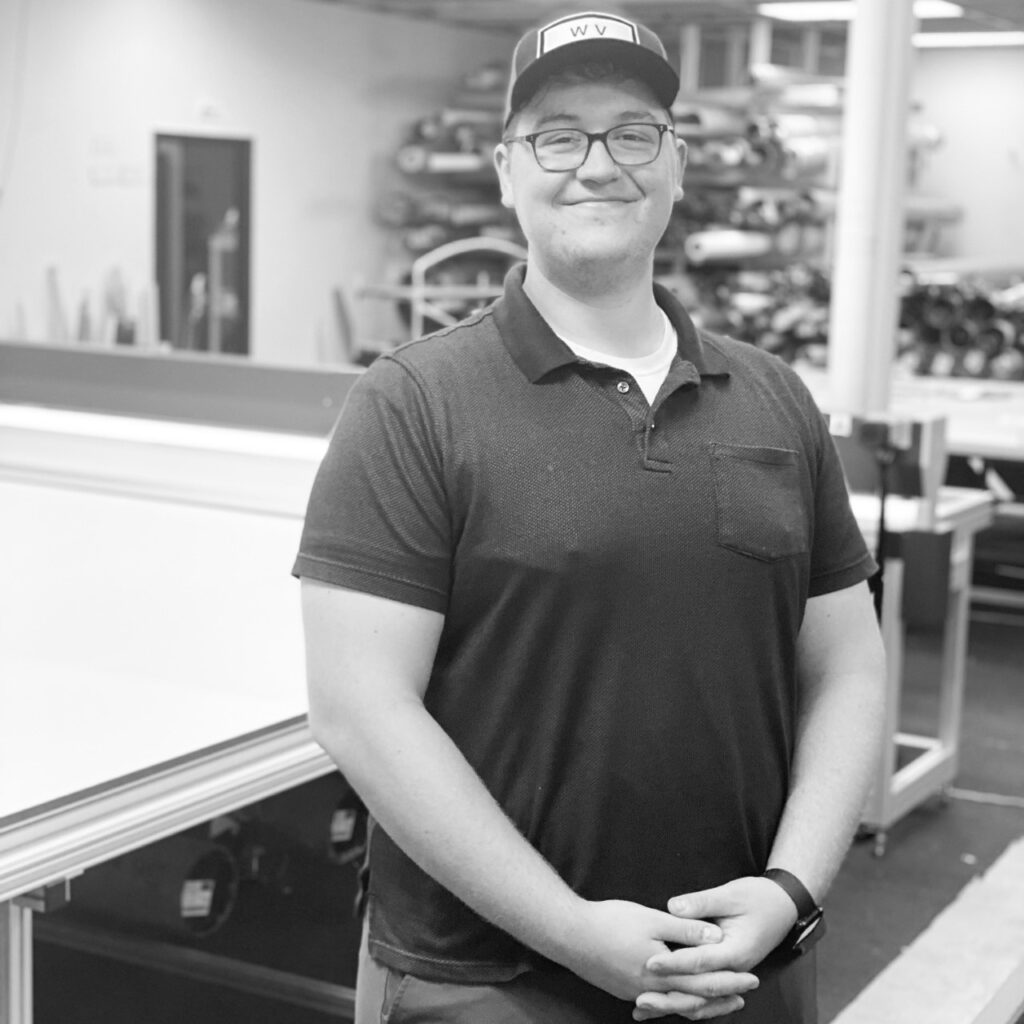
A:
(151, 648)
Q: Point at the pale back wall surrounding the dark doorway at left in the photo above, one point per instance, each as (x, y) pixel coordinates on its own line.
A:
(325, 93)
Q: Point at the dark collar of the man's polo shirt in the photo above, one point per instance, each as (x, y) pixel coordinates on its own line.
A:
(537, 350)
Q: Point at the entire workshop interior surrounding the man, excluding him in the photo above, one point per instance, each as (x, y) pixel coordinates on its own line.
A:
(216, 215)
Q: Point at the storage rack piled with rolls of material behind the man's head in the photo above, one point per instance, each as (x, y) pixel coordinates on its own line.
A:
(750, 244)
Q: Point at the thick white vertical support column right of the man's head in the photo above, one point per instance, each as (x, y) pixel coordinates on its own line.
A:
(870, 211)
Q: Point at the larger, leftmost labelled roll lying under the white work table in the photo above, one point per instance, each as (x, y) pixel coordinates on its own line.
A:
(183, 886)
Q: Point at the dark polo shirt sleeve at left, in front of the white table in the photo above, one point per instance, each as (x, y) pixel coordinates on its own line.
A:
(377, 521)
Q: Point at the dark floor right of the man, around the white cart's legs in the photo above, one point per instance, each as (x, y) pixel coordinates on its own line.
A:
(880, 905)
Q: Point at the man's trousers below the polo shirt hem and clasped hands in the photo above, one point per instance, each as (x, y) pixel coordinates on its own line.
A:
(383, 996)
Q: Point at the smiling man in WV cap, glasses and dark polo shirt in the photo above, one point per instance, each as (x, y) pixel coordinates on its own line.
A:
(586, 615)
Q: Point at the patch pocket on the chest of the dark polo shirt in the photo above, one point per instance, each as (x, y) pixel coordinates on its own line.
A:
(760, 505)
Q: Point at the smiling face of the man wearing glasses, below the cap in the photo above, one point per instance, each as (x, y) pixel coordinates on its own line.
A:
(602, 212)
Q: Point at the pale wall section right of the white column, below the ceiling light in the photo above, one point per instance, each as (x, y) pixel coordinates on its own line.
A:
(975, 98)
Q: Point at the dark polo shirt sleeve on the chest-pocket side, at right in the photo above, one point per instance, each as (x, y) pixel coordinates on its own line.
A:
(839, 558)
